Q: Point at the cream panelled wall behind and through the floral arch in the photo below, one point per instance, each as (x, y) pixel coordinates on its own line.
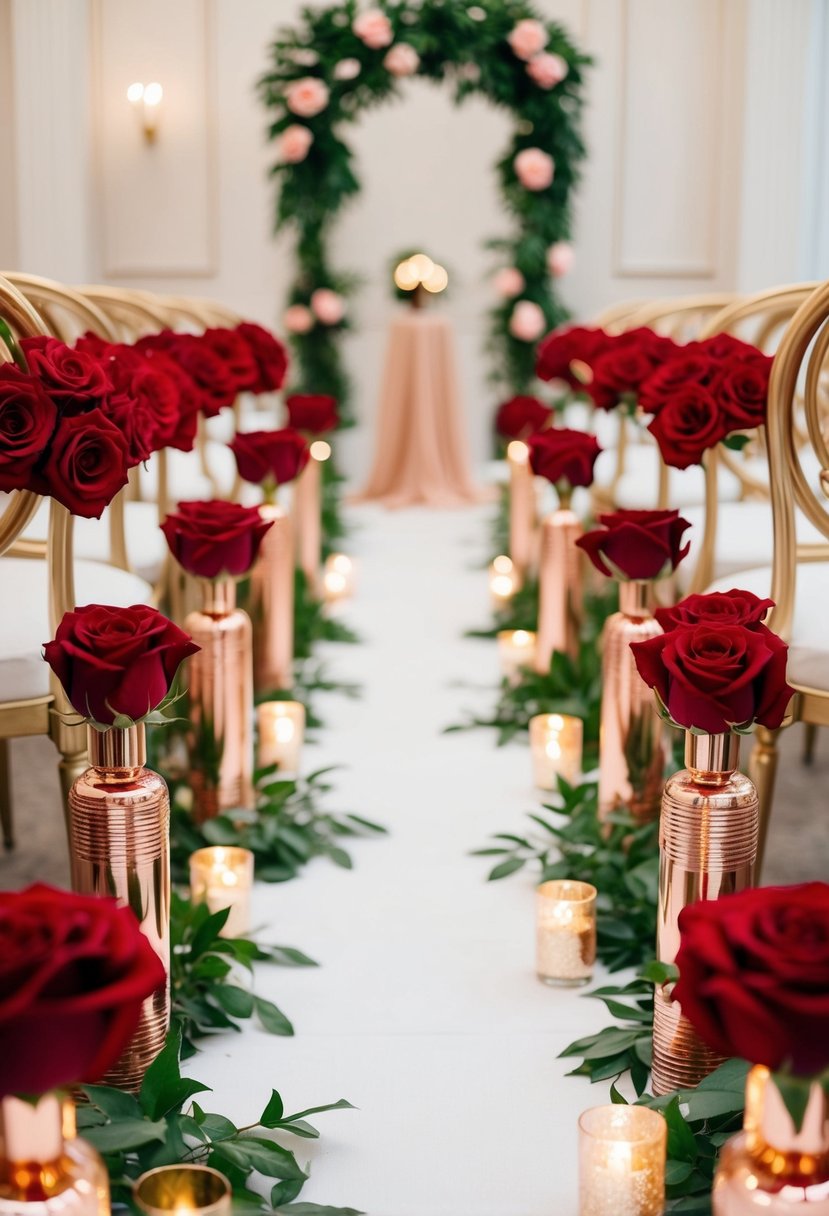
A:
(681, 193)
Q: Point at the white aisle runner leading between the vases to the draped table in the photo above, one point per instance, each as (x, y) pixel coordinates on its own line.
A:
(426, 1012)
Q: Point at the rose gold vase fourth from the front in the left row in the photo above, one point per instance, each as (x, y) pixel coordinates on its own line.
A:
(273, 605)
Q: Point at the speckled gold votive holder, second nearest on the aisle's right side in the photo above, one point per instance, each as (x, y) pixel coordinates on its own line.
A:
(566, 933)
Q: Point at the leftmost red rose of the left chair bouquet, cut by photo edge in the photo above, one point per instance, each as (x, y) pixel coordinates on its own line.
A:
(27, 421)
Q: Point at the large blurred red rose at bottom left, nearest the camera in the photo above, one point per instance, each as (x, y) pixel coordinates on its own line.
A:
(74, 973)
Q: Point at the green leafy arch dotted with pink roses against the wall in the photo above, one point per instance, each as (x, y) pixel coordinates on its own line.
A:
(342, 60)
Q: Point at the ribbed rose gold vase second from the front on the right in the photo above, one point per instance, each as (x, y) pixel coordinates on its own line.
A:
(708, 842)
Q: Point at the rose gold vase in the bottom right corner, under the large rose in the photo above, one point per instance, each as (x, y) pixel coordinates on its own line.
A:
(770, 1168)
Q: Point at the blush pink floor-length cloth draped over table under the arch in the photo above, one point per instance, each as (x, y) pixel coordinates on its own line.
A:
(421, 453)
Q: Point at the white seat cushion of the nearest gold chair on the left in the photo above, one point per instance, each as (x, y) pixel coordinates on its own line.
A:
(25, 616)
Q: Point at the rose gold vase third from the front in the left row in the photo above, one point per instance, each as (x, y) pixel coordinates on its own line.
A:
(221, 691)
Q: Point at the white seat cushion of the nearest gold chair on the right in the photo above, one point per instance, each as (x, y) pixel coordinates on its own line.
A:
(809, 645)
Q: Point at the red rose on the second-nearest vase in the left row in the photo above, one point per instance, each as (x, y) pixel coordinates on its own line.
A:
(117, 661)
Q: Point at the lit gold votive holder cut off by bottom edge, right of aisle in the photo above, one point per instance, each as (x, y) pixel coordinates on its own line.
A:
(622, 1162)
